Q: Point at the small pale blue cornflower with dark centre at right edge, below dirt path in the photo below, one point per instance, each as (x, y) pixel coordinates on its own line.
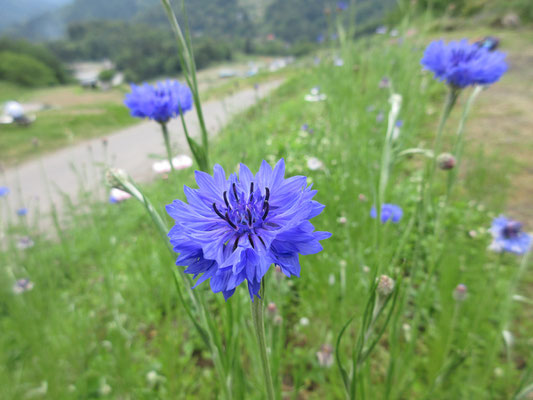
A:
(508, 236)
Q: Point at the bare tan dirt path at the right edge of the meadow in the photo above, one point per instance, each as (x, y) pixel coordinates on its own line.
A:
(503, 122)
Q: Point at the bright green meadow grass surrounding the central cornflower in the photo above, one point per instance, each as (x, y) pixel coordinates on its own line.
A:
(103, 319)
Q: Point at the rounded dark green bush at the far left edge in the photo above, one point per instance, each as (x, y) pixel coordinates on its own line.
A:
(25, 70)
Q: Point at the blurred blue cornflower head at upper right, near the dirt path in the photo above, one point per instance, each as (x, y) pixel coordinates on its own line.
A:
(462, 64)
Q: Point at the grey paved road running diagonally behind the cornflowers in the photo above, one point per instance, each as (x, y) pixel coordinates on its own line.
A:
(130, 149)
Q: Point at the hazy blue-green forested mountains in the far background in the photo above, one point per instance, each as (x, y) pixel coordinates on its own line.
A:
(290, 20)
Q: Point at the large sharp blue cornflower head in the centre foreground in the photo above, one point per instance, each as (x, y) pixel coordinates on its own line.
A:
(232, 229)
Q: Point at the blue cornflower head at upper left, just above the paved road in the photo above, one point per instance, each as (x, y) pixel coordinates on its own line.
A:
(161, 102)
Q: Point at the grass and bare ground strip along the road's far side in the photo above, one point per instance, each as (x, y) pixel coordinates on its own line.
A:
(67, 115)
